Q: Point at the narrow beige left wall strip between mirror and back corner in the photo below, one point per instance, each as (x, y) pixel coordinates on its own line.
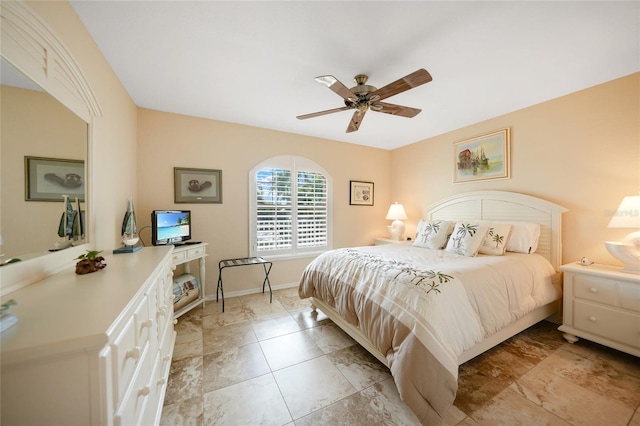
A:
(114, 149)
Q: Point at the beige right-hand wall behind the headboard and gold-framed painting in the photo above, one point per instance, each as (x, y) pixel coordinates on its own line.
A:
(581, 151)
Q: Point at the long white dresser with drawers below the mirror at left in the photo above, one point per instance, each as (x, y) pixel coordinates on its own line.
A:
(91, 349)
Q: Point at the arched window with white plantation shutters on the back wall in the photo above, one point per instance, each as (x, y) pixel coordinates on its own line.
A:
(289, 208)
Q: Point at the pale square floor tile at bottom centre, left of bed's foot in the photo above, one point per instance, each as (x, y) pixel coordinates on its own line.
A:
(312, 385)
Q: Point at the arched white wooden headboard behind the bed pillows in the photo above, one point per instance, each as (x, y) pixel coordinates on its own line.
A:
(507, 206)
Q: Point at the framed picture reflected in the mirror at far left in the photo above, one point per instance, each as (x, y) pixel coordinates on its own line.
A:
(48, 179)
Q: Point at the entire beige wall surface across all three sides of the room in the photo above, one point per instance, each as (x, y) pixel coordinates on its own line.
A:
(580, 151)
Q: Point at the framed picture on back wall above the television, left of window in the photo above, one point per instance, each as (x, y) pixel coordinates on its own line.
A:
(197, 185)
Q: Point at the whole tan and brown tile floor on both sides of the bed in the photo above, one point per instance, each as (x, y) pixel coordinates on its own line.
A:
(278, 364)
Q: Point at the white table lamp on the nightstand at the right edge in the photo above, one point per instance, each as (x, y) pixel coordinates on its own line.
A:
(628, 250)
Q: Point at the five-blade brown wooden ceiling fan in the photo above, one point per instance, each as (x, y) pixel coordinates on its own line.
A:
(363, 97)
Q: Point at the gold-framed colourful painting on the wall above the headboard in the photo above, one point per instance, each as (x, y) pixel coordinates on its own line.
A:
(482, 157)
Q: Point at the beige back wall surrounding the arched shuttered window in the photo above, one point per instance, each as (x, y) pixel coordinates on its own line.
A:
(168, 140)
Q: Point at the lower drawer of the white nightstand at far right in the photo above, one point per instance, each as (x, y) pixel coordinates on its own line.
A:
(623, 327)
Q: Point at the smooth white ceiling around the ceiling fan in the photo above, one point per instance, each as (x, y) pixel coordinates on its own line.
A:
(254, 62)
